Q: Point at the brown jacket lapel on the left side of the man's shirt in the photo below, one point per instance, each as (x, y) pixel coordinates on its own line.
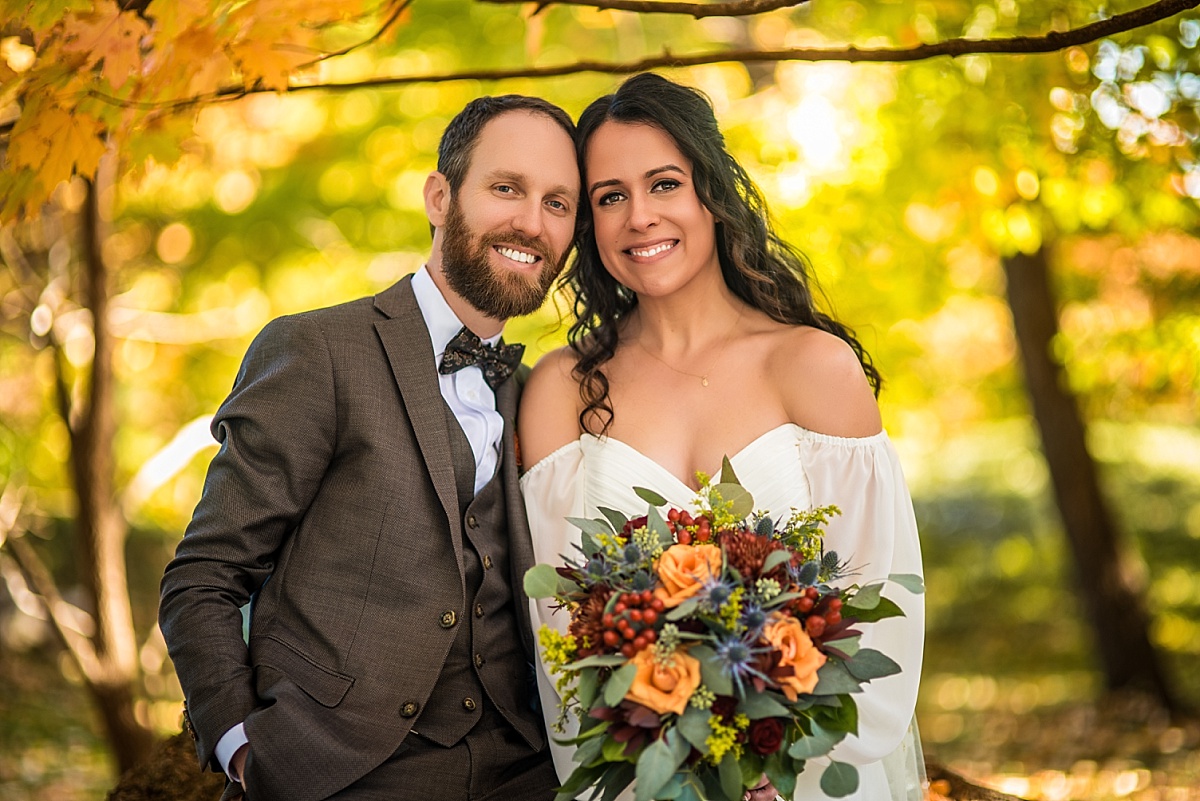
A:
(410, 351)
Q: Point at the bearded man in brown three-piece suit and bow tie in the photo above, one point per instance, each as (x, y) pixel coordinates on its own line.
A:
(365, 501)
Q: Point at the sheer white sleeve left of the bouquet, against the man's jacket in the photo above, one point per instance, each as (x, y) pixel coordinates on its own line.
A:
(554, 491)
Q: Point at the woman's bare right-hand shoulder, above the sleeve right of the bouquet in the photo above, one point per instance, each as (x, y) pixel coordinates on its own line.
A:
(823, 383)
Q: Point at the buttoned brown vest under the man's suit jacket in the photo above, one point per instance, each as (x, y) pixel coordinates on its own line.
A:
(487, 664)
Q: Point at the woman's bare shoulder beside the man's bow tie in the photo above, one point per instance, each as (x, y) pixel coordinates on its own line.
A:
(550, 407)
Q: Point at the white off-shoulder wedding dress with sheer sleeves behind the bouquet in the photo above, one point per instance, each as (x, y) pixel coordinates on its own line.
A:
(788, 467)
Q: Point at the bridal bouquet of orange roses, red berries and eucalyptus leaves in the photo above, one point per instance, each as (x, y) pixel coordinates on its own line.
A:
(707, 648)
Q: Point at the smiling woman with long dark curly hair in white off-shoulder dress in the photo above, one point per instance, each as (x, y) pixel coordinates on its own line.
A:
(698, 339)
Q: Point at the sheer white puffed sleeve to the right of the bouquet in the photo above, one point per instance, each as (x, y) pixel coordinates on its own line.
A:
(877, 534)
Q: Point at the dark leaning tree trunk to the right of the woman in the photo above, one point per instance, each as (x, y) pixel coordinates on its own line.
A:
(1113, 606)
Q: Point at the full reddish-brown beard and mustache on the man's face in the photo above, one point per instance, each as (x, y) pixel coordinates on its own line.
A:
(497, 293)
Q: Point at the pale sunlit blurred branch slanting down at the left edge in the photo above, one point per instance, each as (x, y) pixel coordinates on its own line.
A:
(43, 583)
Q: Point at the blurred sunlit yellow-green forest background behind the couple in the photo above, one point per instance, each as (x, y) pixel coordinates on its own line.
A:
(910, 186)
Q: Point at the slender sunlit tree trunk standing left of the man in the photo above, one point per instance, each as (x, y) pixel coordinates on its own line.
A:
(100, 526)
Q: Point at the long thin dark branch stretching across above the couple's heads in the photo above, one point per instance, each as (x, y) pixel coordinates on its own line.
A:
(1049, 43)
